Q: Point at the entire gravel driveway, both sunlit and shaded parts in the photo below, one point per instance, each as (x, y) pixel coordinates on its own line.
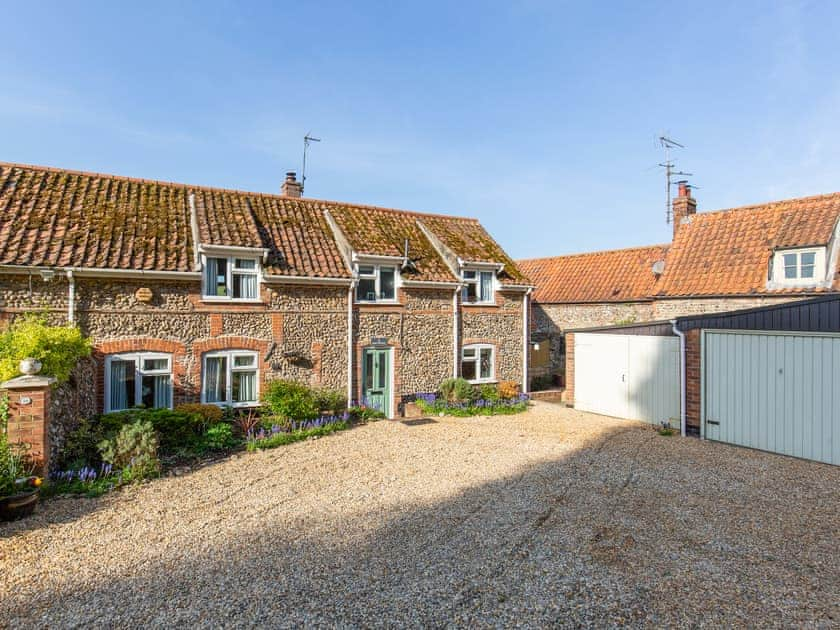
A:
(550, 517)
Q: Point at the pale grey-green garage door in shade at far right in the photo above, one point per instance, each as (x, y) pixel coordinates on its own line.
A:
(774, 392)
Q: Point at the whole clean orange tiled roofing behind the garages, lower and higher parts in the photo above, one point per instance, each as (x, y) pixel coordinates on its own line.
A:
(726, 252)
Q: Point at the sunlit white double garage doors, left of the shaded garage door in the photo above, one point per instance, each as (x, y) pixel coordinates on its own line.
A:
(628, 376)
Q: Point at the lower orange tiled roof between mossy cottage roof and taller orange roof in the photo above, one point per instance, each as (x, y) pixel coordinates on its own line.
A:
(612, 276)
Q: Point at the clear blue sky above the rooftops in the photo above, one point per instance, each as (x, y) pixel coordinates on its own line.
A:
(540, 118)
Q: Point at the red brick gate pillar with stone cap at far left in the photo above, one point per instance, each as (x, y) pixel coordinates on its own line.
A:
(29, 422)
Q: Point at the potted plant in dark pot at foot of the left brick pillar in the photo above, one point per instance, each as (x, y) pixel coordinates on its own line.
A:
(18, 488)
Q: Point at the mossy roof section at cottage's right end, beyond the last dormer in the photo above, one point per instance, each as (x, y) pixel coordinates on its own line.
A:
(468, 239)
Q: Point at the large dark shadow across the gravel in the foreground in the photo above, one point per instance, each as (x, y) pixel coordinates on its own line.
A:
(631, 529)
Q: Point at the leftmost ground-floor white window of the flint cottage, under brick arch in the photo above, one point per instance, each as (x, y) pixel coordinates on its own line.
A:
(138, 378)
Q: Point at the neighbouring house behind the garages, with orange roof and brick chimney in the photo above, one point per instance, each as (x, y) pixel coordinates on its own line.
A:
(717, 261)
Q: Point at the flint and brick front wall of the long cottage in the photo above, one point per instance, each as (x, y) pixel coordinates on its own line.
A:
(299, 331)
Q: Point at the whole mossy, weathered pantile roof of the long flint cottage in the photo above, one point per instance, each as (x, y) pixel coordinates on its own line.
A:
(52, 217)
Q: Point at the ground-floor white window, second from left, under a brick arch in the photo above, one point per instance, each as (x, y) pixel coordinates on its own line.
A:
(230, 377)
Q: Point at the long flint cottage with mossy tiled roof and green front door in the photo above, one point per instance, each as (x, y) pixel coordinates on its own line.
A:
(193, 293)
